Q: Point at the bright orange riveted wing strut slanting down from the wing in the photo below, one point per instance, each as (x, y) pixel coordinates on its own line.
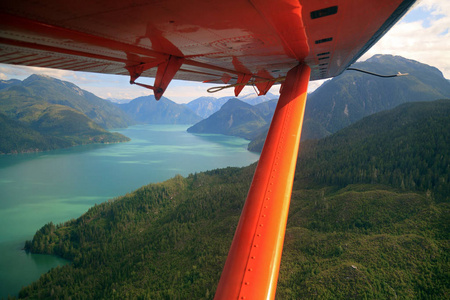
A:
(251, 269)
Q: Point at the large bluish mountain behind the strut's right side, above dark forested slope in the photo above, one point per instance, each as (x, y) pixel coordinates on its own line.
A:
(351, 96)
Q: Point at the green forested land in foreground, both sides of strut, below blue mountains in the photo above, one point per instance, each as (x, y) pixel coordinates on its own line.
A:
(369, 219)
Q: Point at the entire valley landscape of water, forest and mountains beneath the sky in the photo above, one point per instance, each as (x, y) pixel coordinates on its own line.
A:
(369, 212)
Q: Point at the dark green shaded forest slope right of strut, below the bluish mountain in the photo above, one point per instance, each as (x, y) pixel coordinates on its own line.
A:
(407, 147)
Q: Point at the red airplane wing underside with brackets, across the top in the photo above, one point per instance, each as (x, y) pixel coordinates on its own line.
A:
(224, 41)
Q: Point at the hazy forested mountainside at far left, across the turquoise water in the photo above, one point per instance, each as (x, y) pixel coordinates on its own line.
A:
(43, 113)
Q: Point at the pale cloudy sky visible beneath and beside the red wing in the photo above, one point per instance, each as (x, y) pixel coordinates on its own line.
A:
(423, 34)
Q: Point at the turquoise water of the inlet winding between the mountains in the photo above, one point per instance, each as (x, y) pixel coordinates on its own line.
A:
(60, 185)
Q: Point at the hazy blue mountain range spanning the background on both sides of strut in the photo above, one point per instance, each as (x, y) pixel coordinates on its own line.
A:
(43, 104)
